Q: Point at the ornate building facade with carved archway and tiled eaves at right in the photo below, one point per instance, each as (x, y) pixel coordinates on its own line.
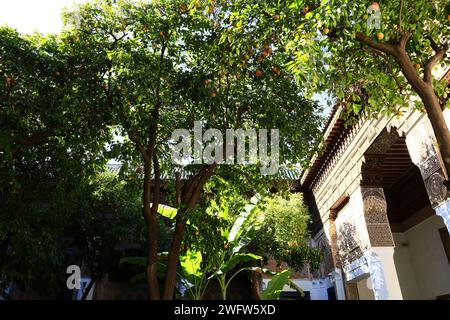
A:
(380, 211)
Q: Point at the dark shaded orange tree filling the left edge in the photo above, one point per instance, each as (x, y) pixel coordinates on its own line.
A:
(48, 117)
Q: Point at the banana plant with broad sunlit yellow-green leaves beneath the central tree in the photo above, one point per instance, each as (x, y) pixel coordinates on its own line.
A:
(195, 275)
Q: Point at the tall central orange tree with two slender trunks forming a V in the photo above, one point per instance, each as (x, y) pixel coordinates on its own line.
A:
(170, 63)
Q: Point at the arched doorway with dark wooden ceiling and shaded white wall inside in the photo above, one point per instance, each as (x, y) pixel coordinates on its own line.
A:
(417, 234)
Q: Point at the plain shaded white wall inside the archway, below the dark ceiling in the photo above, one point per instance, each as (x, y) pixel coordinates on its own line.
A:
(422, 265)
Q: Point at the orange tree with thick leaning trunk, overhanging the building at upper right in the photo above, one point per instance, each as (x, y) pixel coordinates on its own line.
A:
(337, 46)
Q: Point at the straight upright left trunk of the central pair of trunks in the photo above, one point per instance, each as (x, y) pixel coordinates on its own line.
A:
(150, 219)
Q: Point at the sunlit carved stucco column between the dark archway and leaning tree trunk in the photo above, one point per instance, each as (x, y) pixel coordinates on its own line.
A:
(423, 151)
